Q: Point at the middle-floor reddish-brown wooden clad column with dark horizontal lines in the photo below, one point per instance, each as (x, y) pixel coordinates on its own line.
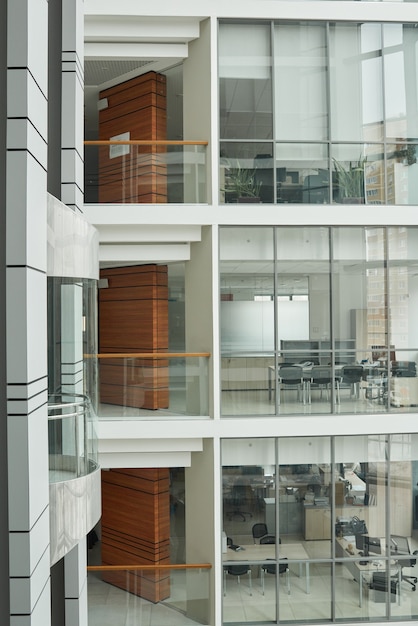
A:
(133, 317)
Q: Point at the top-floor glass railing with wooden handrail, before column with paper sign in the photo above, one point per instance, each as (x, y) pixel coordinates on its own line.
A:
(146, 172)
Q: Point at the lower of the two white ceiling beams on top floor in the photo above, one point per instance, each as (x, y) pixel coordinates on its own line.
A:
(118, 50)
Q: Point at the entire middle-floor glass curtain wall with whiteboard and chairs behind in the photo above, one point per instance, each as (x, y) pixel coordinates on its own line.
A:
(318, 320)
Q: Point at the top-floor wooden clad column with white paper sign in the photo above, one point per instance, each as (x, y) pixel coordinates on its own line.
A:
(136, 109)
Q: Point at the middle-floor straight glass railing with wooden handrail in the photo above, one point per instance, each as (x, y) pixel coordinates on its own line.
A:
(141, 384)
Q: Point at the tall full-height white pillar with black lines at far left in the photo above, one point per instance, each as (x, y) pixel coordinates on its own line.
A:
(26, 315)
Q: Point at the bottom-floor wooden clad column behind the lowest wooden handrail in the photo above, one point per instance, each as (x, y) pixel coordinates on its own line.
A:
(136, 529)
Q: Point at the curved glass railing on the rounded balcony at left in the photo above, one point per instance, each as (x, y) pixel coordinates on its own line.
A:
(72, 437)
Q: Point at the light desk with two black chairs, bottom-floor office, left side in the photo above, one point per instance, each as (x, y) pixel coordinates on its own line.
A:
(260, 553)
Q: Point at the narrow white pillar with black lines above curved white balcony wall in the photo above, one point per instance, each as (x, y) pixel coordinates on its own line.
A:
(72, 103)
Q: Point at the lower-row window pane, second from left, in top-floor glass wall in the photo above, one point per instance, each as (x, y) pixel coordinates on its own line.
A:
(302, 172)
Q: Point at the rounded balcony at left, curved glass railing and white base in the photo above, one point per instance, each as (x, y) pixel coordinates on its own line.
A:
(74, 474)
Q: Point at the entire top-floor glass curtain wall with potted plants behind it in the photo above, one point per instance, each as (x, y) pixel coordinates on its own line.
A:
(318, 113)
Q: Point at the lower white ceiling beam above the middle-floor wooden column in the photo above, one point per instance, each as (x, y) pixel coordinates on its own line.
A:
(139, 253)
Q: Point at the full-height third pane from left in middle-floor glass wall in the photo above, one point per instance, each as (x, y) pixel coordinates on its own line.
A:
(360, 318)
